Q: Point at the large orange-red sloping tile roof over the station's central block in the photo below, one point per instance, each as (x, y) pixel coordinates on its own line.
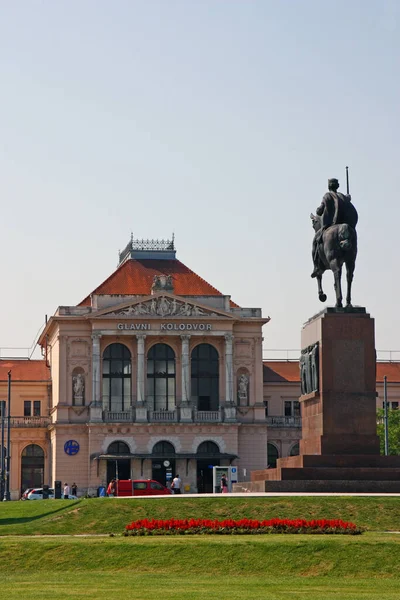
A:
(136, 277)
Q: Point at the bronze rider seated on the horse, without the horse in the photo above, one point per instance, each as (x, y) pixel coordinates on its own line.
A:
(335, 209)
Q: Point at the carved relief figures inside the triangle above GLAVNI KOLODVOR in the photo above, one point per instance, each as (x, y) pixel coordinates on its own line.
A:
(163, 307)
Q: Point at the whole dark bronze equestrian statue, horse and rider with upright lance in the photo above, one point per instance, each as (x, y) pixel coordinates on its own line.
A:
(335, 240)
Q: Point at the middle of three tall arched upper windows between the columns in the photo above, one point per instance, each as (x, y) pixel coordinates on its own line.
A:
(161, 377)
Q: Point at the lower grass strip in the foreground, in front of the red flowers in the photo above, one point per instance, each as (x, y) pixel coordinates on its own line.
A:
(272, 566)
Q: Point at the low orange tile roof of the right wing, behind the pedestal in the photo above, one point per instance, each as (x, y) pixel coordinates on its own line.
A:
(289, 371)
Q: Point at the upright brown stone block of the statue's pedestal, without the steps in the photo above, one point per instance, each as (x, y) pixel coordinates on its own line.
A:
(340, 417)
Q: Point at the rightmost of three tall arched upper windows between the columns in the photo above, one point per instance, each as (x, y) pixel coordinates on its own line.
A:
(205, 377)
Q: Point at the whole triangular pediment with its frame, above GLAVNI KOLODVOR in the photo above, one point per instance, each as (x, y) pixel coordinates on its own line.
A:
(160, 306)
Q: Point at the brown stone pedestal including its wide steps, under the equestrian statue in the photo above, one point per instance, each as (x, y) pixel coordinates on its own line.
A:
(339, 449)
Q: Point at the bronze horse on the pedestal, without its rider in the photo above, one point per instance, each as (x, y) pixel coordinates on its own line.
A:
(337, 246)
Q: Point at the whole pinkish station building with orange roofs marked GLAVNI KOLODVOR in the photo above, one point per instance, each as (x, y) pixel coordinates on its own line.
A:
(154, 373)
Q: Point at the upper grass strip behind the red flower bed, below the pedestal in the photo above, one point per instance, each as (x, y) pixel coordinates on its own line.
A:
(110, 515)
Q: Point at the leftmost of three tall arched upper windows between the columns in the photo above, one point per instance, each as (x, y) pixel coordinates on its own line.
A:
(116, 378)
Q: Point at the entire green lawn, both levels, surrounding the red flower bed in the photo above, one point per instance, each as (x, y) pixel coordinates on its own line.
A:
(276, 567)
